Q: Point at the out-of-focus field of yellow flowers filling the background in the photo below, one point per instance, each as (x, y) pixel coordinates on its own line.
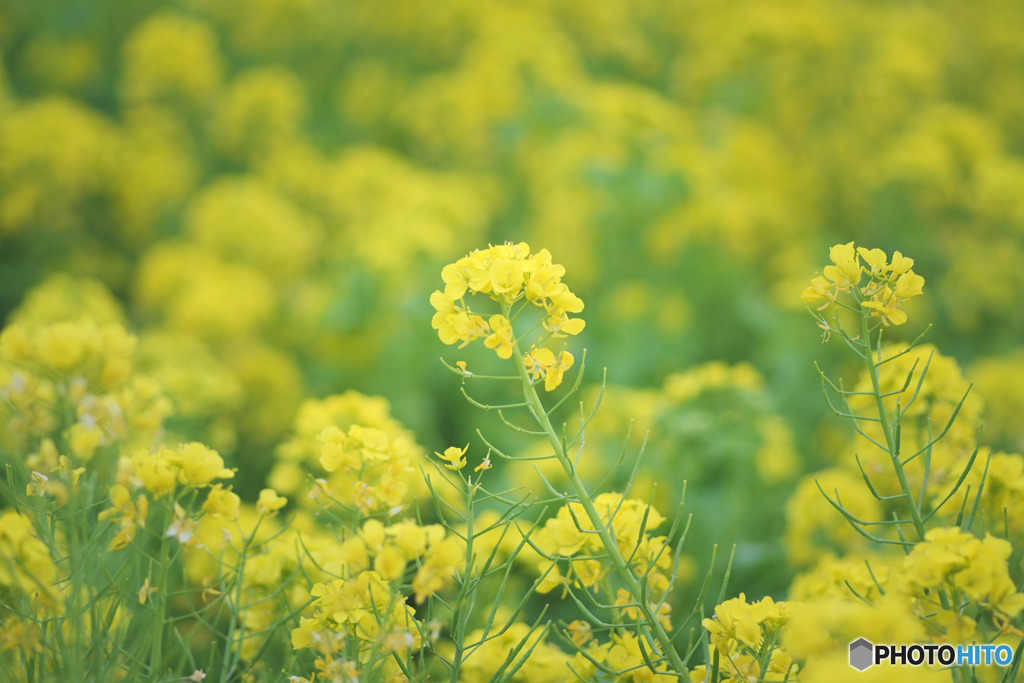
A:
(266, 192)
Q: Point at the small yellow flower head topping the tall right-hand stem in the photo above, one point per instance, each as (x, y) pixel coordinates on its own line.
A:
(887, 287)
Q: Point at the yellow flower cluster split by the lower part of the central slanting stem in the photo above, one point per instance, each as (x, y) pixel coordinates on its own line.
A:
(571, 534)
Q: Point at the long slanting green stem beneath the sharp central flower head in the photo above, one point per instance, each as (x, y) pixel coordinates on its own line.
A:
(656, 630)
